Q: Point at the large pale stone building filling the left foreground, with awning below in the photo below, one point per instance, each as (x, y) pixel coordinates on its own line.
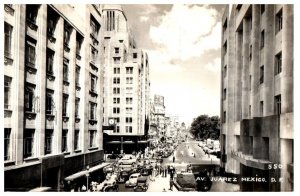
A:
(53, 78)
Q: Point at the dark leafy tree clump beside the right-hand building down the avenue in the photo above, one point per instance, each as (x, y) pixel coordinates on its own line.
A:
(204, 127)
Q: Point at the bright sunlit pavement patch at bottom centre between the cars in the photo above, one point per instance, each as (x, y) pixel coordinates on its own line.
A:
(160, 183)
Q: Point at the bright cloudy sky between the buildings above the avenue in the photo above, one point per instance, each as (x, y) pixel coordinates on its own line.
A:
(183, 44)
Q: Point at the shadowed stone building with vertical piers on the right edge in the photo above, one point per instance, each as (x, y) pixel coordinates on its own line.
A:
(257, 95)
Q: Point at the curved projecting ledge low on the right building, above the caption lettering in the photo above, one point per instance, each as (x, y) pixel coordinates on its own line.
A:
(249, 161)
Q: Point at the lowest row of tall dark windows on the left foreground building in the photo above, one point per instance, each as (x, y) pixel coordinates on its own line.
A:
(29, 142)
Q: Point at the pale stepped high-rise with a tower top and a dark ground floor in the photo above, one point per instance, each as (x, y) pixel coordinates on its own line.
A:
(126, 85)
